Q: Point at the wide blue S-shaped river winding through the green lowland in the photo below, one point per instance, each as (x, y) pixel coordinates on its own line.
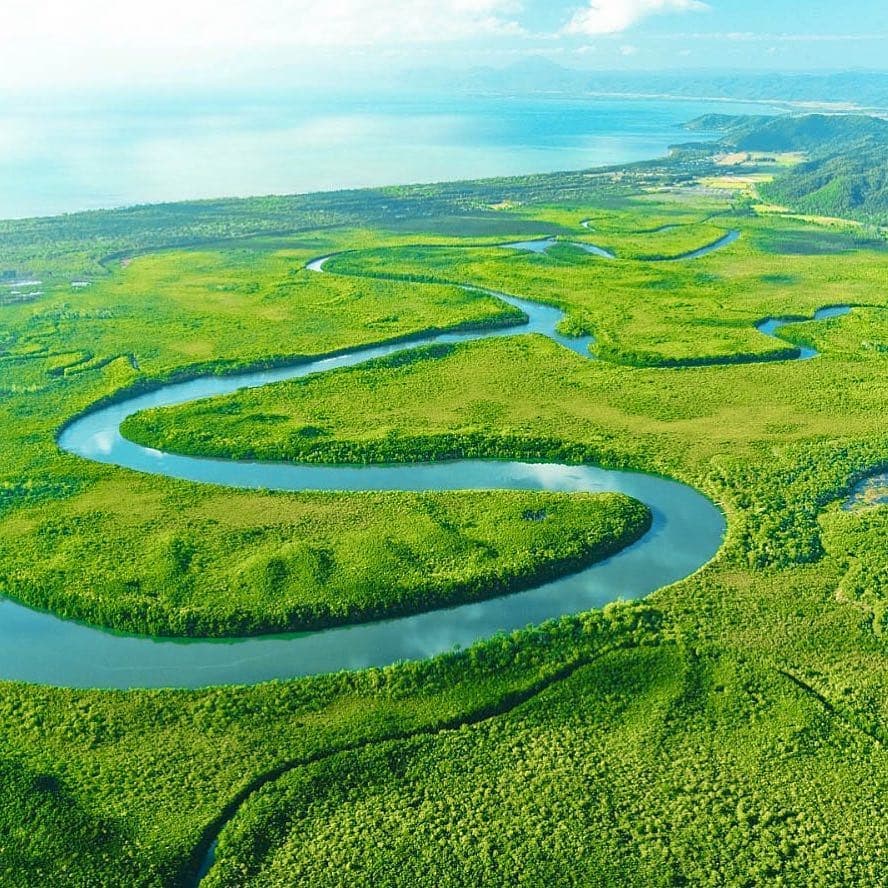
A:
(39, 647)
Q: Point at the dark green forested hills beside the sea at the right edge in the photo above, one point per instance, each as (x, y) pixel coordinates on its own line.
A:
(846, 170)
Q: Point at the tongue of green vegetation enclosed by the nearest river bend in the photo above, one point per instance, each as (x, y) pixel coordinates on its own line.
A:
(243, 563)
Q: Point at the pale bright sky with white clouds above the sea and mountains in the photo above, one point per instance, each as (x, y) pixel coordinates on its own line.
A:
(48, 45)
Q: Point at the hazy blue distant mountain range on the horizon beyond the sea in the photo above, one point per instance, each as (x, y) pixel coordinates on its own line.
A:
(862, 89)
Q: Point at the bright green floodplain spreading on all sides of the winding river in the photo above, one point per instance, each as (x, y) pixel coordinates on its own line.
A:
(729, 730)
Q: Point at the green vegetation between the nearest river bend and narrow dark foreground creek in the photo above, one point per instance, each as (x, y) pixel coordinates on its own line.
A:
(124, 788)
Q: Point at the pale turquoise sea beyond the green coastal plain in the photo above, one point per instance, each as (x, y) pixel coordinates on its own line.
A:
(74, 154)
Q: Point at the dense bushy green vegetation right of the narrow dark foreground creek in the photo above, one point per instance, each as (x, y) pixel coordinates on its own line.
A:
(548, 795)
